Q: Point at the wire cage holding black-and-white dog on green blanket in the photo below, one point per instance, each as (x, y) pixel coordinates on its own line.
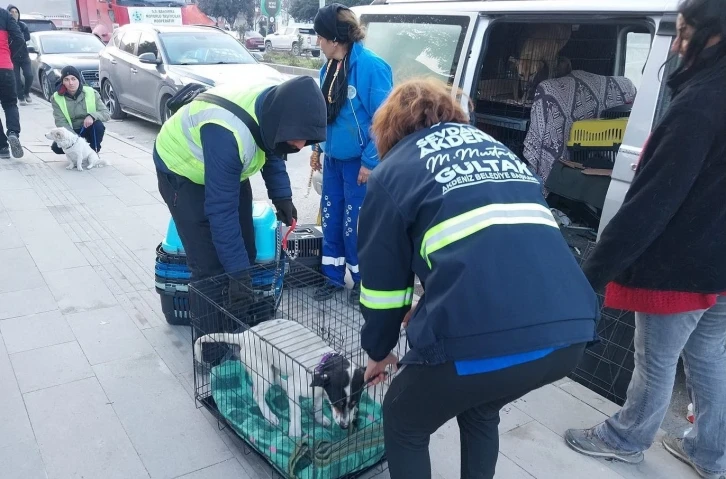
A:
(291, 387)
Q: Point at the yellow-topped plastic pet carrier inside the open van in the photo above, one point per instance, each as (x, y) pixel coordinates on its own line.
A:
(595, 143)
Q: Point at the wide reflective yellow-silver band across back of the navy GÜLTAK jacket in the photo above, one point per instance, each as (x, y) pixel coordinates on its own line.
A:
(466, 224)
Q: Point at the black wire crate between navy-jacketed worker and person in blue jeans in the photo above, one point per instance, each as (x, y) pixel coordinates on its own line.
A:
(607, 367)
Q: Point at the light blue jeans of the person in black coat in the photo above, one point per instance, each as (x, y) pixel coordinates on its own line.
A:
(659, 340)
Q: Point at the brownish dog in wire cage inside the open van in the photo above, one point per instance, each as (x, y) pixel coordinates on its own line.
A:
(538, 57)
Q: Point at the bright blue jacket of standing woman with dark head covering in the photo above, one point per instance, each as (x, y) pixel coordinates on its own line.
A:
(370, 80)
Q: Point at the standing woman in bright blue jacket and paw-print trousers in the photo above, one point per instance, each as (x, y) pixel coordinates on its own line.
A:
(355, 82)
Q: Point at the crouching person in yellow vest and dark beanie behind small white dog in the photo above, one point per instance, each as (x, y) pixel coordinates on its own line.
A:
(80, 109)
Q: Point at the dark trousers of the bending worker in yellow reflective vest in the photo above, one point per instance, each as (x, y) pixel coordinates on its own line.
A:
(185, 200)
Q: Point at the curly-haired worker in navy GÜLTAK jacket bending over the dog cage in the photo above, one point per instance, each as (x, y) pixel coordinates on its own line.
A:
(505, 310)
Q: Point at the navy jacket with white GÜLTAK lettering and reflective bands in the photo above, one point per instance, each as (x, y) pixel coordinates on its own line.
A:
(456, 208)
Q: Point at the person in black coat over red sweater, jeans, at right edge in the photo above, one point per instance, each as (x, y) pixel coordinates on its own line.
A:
(663, 256)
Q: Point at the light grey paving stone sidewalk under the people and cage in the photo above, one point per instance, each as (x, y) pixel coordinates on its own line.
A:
(95, 384)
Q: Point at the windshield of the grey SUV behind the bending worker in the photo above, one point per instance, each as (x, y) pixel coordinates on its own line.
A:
(204, 49)
